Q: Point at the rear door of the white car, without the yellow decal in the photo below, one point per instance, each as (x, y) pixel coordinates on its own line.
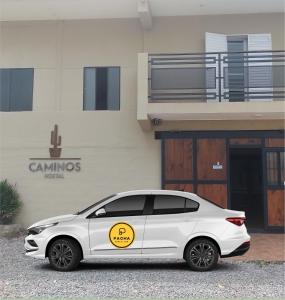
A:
(169, 225)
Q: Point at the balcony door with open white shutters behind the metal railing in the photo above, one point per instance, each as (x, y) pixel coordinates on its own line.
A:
(243, 70)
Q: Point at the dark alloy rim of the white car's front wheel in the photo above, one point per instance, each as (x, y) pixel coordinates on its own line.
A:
(61, 255)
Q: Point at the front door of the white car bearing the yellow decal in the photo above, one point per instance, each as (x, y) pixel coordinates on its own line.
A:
(120, 231)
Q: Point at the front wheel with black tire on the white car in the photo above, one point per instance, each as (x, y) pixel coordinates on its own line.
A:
(64, 255)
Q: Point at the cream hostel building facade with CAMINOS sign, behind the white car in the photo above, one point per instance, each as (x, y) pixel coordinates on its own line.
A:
(83, 86)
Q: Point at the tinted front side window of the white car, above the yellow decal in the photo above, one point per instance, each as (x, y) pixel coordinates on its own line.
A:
(126, 206)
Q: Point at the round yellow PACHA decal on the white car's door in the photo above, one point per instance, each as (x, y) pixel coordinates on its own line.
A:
(121, 235)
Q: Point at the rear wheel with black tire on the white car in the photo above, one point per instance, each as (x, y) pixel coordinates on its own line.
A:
(201, 255)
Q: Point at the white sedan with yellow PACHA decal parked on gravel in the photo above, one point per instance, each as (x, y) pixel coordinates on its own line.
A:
(142, 224)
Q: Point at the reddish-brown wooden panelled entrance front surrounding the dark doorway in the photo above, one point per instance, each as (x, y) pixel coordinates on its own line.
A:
(198, 162)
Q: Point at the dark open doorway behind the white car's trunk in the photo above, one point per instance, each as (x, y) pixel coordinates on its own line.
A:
(246, 191)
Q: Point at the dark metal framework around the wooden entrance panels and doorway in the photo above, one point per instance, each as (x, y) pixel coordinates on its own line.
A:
(261, 135)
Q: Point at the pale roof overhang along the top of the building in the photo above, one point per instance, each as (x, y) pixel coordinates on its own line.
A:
(19, 10)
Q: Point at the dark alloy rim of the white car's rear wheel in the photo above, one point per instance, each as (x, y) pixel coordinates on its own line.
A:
(202, 255)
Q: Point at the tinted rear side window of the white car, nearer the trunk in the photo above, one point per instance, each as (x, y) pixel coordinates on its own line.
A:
(169, 204)
